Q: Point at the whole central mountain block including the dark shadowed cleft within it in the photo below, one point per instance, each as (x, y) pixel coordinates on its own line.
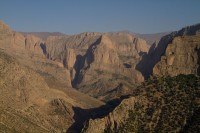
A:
(95, 59)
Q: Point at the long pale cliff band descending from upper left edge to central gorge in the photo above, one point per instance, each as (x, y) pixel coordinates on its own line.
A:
(31, 52)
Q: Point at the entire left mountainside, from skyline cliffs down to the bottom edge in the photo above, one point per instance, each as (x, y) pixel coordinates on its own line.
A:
(36, 94)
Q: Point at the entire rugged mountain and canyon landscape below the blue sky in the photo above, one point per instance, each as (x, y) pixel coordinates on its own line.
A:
(99, 82)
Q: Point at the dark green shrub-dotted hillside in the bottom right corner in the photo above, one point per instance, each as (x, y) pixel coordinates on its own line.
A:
(172, 106)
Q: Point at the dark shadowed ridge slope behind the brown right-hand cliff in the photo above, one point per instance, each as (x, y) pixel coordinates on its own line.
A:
(157, 50)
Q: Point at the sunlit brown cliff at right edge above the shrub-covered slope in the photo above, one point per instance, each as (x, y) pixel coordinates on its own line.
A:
(181, 57)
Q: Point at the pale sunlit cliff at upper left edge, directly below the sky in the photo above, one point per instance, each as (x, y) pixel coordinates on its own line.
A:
(11, 40)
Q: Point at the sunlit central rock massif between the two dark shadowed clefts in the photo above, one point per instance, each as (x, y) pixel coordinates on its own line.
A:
(108, 59)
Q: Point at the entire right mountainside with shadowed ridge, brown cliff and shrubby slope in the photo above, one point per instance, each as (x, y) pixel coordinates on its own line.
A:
(163, 103)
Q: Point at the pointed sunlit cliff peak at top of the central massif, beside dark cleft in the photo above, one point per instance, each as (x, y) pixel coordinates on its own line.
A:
(102, 55)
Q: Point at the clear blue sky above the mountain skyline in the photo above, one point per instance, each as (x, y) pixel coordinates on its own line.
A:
(75, 16)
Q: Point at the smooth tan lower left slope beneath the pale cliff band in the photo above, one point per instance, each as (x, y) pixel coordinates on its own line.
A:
(28, 104)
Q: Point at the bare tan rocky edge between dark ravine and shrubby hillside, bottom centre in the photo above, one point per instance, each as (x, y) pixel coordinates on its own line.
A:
(113, 120)
